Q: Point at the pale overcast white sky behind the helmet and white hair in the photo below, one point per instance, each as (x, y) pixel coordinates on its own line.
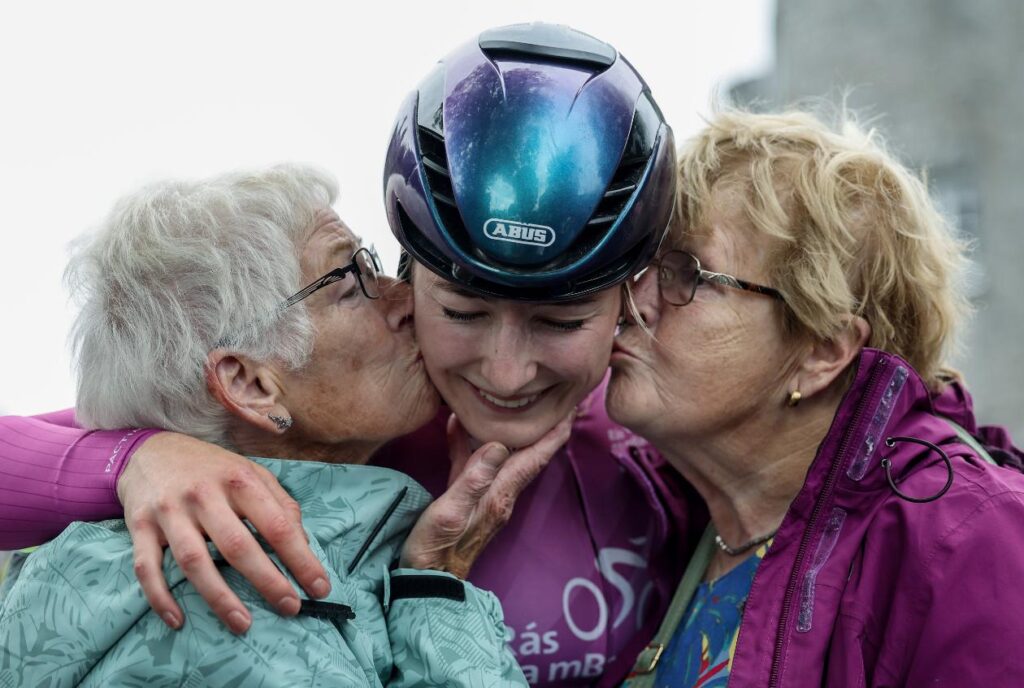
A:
(98, 98)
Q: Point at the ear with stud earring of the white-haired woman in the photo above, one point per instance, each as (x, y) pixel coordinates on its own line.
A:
(248, 390)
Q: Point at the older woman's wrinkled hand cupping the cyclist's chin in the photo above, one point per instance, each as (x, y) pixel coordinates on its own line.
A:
(483, 491)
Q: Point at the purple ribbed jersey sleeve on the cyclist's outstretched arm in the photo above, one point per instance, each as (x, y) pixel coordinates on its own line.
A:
(54, 472)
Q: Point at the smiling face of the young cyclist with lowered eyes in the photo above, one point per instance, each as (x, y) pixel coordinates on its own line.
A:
(511, 371)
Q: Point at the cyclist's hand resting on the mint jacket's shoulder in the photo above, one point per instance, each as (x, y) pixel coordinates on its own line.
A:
(178, 492)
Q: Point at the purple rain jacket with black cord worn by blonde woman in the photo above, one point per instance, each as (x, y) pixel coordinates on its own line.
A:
(863, 588)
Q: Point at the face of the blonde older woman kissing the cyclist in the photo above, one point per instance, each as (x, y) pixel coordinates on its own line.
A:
(716, 365)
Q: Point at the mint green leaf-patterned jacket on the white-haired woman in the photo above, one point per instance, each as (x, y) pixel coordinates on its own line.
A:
(75, 616)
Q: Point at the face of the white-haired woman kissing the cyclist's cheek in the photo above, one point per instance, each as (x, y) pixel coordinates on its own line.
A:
(366, 383)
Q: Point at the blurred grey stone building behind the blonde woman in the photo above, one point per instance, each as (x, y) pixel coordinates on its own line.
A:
(944, 80)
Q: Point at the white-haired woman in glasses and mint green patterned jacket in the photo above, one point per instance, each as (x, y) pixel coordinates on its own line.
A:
(195, 318)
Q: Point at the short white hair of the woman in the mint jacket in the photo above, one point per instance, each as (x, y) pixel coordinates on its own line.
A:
(178, 270)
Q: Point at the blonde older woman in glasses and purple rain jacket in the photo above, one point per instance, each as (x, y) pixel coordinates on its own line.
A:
(788, 356)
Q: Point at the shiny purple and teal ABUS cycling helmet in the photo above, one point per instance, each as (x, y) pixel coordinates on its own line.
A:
(532, 164)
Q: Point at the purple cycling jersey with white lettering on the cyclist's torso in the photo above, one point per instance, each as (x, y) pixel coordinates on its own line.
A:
(587, 565)
